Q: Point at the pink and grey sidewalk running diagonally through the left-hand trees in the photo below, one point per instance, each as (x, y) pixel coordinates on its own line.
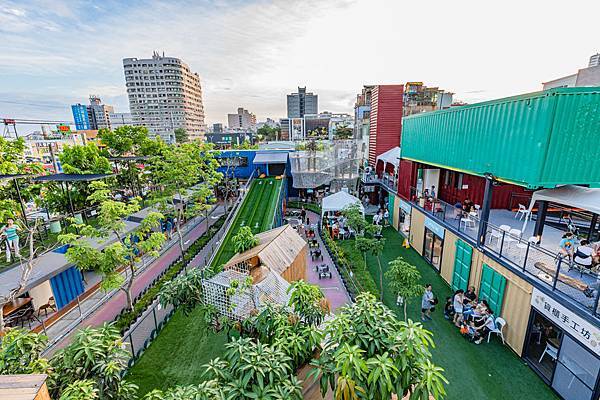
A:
(115, 301)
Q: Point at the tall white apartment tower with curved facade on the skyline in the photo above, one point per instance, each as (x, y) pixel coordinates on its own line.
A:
(164, 95)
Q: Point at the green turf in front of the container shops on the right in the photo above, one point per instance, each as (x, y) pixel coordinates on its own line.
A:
(485, 371)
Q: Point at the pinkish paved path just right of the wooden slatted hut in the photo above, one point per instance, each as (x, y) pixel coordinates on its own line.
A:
(333, 288)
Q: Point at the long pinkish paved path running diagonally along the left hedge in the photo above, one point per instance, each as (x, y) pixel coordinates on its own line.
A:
(111, 308)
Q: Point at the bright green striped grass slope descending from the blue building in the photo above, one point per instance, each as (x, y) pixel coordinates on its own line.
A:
(257, 212)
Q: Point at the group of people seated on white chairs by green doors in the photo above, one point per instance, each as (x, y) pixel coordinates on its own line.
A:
(474, 318)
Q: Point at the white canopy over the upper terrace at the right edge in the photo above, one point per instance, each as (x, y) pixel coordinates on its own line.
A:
(569, 195)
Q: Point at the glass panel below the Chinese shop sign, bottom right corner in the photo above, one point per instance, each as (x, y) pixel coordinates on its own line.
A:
(576, 371)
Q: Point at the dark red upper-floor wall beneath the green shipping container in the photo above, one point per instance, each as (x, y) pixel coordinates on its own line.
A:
(504, 196)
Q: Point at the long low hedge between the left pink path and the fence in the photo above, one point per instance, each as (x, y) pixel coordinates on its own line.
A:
(126, 318)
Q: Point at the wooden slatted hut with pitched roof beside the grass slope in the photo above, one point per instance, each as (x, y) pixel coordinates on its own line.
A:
(282, 250)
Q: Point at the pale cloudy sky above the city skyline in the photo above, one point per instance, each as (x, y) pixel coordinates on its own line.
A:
(250, 54)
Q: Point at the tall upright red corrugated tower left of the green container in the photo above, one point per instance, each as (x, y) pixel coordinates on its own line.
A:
(385, 125)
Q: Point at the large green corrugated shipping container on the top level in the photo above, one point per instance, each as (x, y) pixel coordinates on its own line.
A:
(536, 140)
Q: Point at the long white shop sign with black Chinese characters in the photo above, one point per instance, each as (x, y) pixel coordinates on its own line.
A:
(583, 331)
